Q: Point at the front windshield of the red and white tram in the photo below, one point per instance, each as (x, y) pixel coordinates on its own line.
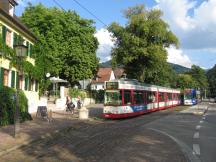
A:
(113, 98)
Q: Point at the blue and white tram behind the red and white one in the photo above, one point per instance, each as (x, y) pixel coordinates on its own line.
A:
(190, 97)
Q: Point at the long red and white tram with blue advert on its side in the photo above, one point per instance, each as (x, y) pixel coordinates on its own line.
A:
(125, 98)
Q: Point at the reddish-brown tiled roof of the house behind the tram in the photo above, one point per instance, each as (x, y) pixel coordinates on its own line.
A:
(103, 75)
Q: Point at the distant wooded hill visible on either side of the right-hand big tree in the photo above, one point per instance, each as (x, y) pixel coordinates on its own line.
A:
(177, 68)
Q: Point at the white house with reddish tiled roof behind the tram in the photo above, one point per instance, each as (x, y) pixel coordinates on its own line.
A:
(103, 74)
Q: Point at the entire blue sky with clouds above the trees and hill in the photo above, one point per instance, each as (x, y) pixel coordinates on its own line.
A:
(192, 21)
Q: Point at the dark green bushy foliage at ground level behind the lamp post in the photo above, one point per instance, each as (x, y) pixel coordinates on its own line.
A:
(8, 105)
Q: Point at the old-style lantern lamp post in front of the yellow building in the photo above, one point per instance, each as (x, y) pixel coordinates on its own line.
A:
(20, 51)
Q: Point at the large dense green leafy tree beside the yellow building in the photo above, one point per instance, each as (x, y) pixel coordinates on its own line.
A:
(67, 46)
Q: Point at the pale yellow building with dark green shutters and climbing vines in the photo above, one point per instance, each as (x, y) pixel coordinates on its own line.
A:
(13, 32)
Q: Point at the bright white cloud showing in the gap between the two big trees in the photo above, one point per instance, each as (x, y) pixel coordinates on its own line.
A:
(106, 43)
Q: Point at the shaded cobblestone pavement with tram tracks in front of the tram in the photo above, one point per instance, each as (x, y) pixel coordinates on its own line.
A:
(104, 140)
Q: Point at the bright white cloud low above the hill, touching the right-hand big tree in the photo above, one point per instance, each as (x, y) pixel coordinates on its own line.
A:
(177, 56)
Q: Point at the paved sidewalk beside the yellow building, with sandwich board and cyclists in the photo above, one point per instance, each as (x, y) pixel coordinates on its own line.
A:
(36, 129)
